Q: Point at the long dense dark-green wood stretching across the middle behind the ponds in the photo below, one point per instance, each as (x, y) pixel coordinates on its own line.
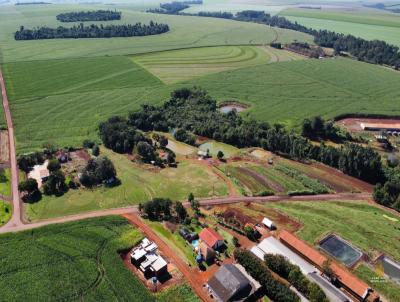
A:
(195, 111)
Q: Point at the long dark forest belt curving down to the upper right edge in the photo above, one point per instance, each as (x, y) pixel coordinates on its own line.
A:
(375, 52)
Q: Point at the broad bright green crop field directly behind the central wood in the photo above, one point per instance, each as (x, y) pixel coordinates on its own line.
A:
(65, 109)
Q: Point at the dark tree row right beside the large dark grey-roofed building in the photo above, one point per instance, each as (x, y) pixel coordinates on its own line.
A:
(257, 269)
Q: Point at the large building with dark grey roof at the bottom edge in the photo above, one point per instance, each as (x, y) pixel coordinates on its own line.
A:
(232, 283)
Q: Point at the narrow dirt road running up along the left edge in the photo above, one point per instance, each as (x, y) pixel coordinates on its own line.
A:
(15, 220)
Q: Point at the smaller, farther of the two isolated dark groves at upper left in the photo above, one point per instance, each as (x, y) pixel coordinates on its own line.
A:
(98, 15)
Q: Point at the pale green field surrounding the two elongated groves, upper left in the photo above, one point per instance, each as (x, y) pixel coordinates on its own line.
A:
(186, 32)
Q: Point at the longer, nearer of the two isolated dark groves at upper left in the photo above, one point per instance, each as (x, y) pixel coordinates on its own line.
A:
(92, 31)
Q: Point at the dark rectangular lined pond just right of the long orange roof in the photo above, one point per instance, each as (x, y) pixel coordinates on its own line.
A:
(340, 249)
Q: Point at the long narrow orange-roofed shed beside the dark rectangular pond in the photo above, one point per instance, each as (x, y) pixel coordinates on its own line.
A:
(350, 282)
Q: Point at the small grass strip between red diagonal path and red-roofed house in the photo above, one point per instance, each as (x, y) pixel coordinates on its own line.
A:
(174, 240)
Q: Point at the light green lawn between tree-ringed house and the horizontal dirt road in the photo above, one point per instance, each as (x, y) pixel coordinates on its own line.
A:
(137, 185)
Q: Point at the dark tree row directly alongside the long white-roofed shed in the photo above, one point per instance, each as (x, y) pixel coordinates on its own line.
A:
(280, 265)
